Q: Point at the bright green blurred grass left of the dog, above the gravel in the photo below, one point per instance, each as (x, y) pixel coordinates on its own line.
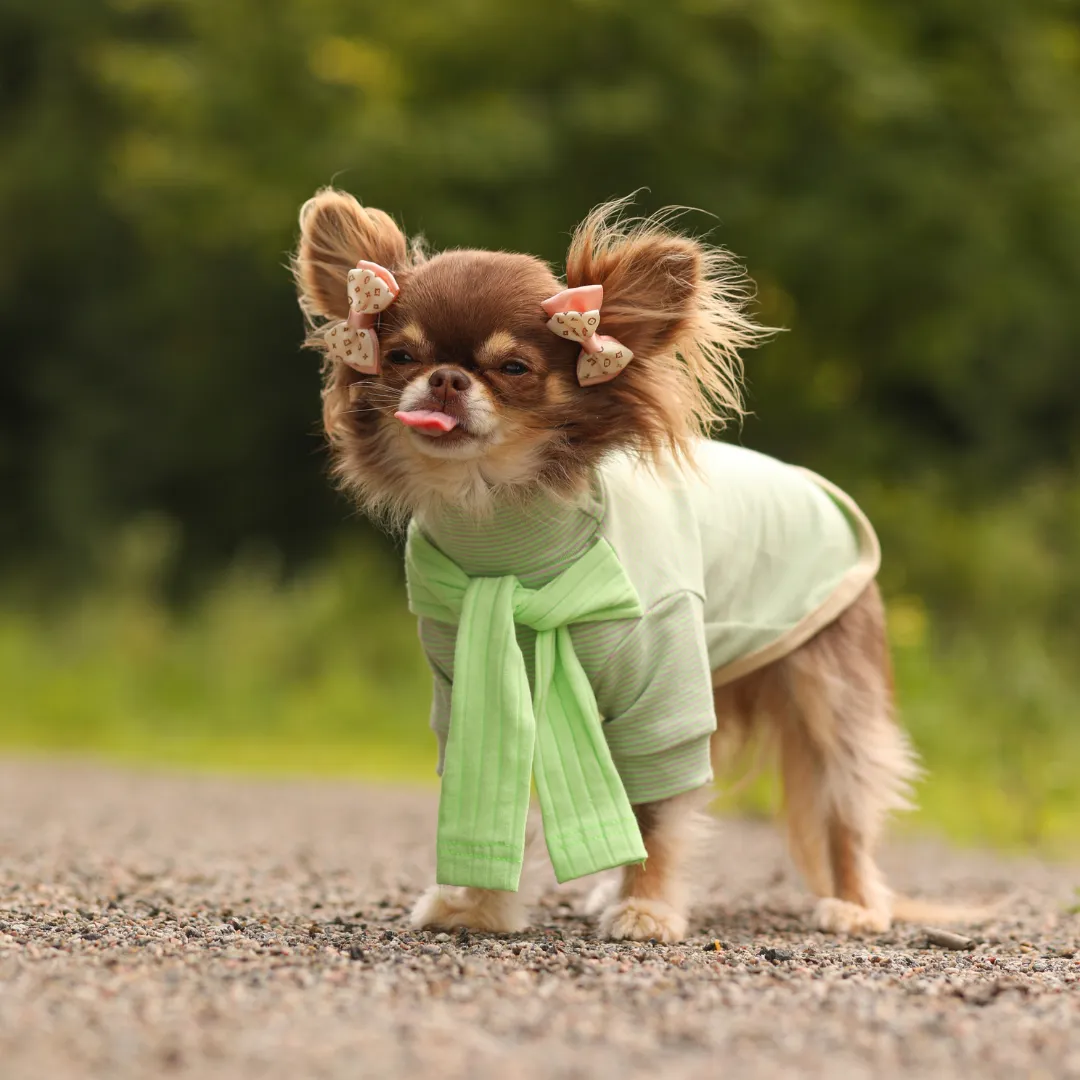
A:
(321, 673)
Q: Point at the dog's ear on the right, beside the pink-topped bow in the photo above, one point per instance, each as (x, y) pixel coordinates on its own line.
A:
(653, 281)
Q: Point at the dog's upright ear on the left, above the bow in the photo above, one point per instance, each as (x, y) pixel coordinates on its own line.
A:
(336, 233)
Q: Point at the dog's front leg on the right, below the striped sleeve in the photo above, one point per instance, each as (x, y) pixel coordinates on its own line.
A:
(653, 898)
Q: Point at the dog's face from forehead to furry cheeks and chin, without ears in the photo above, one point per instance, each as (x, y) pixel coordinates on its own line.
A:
(475, 394)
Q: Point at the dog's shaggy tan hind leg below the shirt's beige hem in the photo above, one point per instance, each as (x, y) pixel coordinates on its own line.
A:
(845, 764)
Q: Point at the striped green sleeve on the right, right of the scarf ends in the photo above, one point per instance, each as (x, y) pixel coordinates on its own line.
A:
(656, 694)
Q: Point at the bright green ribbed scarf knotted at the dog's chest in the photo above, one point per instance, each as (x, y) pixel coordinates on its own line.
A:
(501, 736)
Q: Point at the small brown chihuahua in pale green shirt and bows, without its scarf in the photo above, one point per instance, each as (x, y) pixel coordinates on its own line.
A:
(468, 391)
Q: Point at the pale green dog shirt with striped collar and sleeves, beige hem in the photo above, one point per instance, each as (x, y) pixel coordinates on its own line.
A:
(737, 559)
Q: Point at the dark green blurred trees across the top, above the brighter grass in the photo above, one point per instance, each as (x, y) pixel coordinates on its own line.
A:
(901, 179)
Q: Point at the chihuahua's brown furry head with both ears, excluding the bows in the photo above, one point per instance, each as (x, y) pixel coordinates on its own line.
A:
(476, 396)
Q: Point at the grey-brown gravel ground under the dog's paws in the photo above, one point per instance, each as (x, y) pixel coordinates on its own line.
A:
(163, 926)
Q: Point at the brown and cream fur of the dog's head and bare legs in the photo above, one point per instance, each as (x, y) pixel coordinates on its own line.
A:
(680, 306)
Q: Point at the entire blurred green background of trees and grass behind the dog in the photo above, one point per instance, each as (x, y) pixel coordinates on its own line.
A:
(180, 584)
